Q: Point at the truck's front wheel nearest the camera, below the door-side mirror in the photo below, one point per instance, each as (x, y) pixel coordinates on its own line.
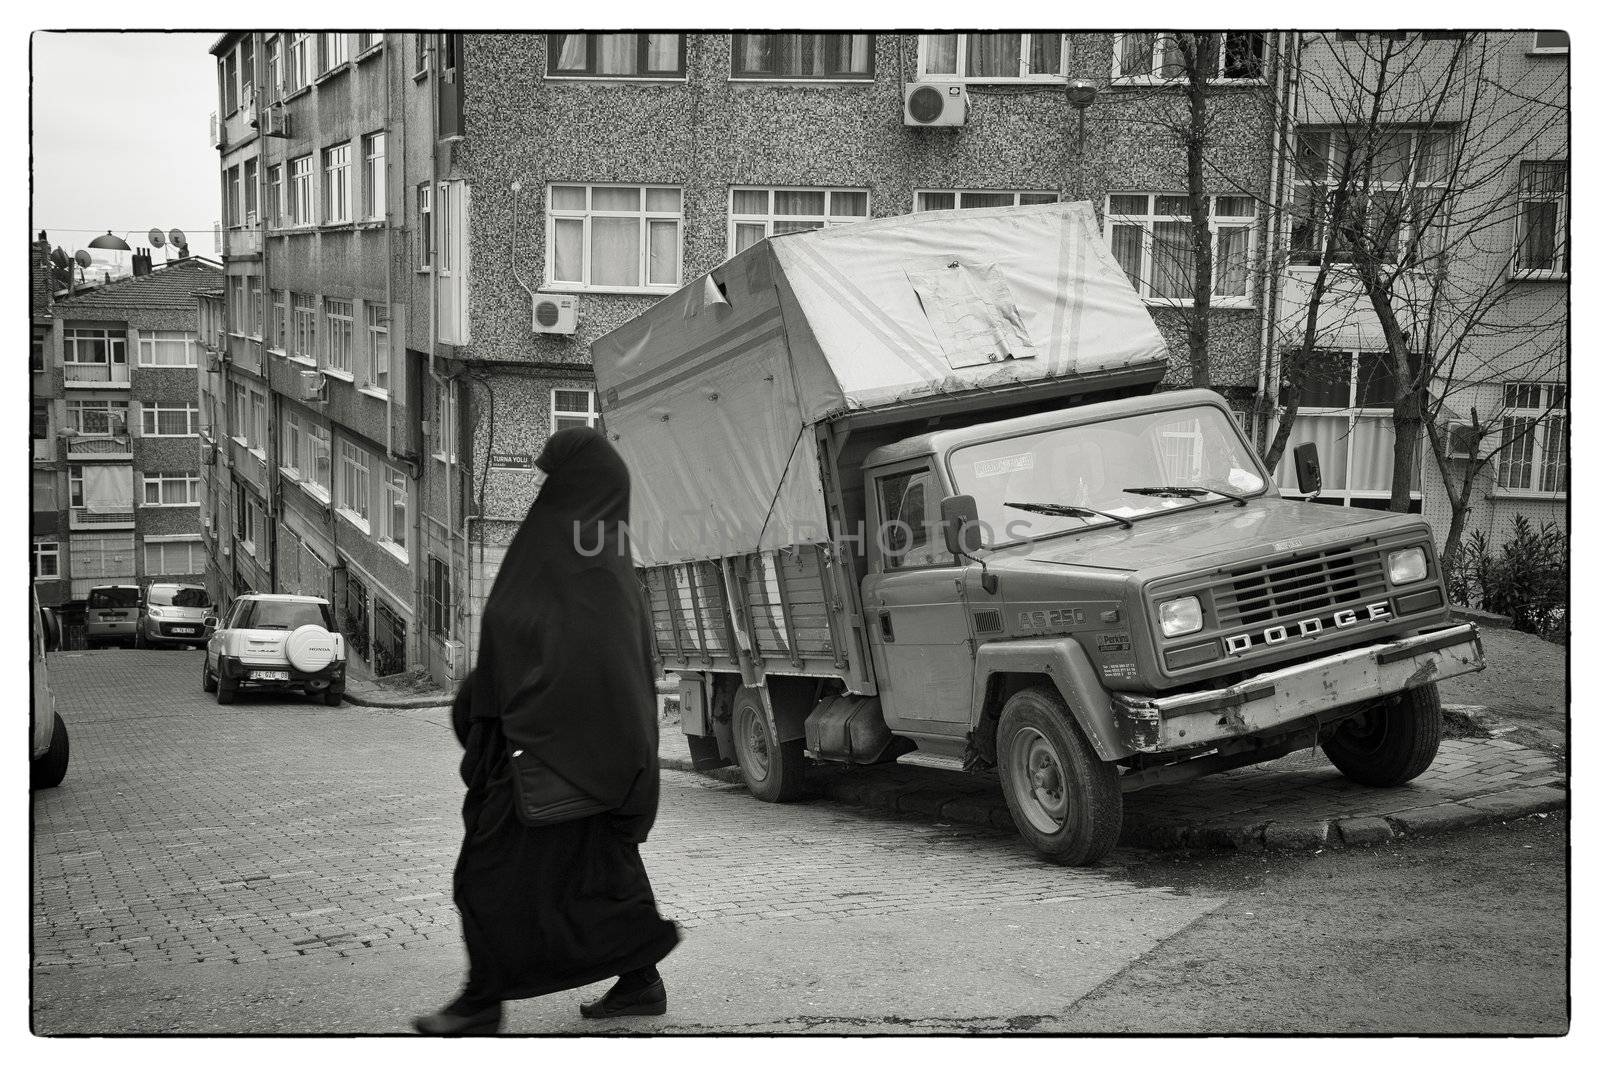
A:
(1066, 802)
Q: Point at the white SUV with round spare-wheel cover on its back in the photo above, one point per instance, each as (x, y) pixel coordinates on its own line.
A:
(276, 642)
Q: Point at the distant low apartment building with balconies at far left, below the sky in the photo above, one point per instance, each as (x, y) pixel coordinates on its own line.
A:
(116, 449)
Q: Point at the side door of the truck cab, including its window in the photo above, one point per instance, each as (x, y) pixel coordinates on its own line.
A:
(916, 610)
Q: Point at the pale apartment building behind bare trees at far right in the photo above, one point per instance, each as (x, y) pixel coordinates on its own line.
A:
(1473, 188)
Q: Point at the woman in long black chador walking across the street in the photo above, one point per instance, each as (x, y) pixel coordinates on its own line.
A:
(564, 676)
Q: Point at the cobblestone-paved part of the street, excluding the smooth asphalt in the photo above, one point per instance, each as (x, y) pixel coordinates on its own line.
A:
(271, 829)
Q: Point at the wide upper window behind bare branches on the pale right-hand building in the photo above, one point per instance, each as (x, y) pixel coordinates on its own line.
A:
(1394, 182)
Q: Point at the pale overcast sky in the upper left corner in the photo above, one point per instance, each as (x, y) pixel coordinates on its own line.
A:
(121, 138)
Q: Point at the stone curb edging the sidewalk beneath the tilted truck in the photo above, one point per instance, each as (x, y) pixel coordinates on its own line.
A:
(1167, 836)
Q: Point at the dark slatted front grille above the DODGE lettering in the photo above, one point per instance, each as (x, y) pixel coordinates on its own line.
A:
(1300, 585)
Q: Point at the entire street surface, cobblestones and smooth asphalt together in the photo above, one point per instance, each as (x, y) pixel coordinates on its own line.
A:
(284, 868)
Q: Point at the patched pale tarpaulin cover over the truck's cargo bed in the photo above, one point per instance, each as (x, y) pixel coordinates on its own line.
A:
(710, 393)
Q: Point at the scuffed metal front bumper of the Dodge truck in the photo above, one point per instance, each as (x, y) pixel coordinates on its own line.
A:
(1172, 724)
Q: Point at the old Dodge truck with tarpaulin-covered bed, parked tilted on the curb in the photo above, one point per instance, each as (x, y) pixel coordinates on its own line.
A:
(908, 487)
